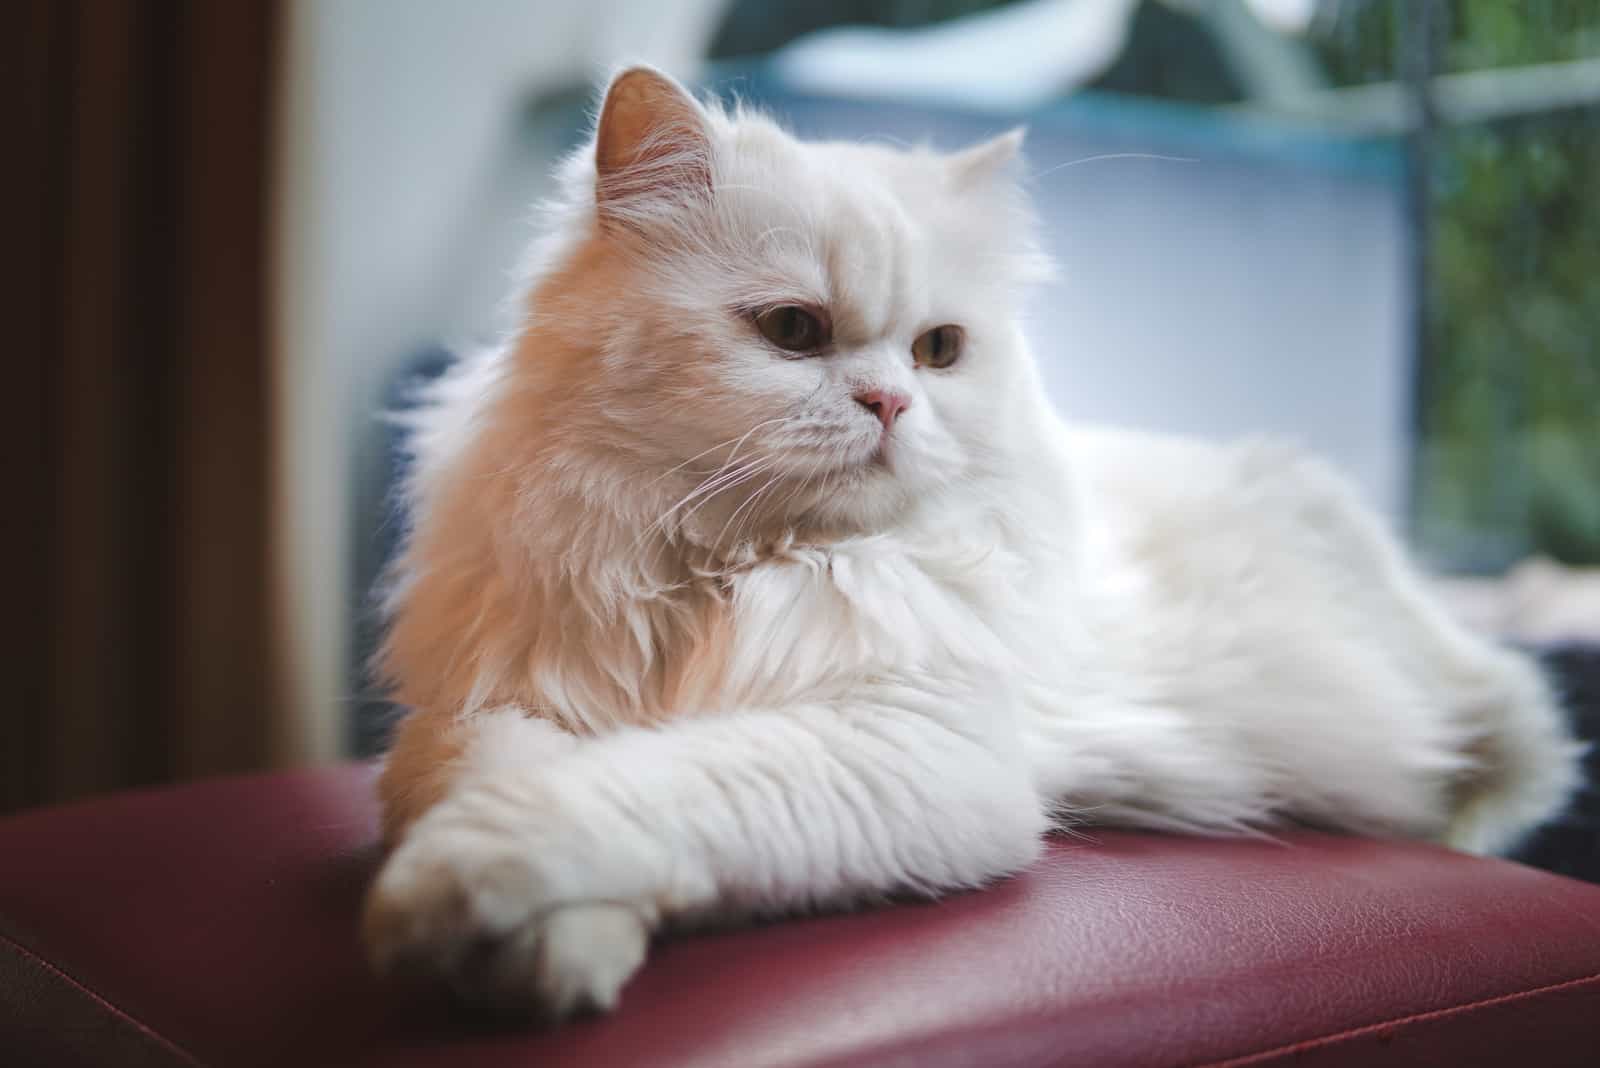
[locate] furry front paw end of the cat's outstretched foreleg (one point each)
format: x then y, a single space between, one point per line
495 915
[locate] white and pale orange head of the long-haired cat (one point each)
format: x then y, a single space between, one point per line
796 333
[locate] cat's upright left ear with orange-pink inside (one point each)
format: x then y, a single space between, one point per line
652 143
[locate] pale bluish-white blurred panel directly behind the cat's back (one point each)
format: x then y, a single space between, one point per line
1226 300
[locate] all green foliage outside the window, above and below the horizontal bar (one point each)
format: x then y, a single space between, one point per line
1510 458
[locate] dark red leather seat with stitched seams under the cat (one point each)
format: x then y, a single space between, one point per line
217 925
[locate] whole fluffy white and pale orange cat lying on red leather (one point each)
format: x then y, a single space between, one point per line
754 575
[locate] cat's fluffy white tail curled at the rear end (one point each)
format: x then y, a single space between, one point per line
1527 765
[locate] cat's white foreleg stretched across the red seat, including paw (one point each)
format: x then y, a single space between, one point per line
535 885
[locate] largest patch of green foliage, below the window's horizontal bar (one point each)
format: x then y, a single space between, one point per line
1511 450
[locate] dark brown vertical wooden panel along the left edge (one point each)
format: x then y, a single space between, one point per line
138 460
